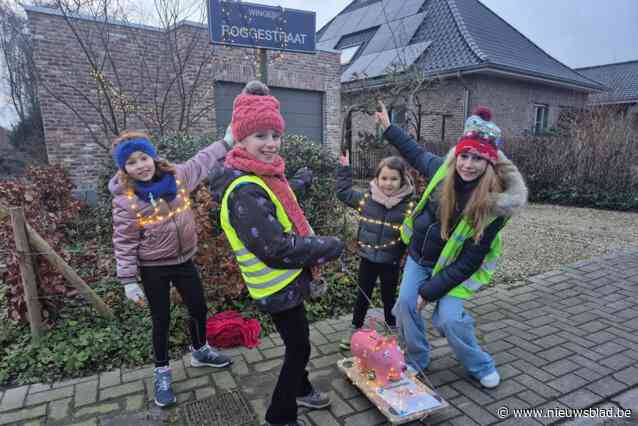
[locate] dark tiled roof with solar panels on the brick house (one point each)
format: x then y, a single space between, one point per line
459 34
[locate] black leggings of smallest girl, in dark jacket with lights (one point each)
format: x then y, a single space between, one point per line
368 273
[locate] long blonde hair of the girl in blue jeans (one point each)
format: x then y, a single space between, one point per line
477 209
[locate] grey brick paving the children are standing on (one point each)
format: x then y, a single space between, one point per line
567 339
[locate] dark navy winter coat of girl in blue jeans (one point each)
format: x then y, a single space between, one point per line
426 243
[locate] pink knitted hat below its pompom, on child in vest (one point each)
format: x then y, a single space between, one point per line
252 113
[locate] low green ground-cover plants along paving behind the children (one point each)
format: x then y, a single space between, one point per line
82 343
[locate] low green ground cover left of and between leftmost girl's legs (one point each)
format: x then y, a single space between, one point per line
82 342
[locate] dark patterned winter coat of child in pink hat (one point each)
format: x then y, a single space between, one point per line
251 212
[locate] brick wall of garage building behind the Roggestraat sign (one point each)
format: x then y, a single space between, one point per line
143 73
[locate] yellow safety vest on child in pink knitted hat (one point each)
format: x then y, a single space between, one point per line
260 279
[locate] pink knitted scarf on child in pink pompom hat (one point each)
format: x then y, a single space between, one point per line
273 175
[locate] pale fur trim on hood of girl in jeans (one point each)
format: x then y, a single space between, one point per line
514 197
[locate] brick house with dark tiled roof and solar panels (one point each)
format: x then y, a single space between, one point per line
461 55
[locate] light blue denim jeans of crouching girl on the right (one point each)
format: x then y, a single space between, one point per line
449 318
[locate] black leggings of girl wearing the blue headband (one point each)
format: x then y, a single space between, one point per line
185 279
